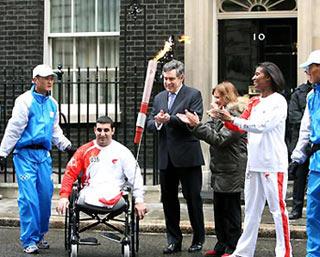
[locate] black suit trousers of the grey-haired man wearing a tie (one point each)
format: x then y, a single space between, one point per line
191 182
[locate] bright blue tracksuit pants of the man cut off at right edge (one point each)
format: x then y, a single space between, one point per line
313 214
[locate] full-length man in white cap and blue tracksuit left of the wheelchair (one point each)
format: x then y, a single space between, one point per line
32 129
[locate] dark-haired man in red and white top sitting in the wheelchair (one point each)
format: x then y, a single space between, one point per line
105 166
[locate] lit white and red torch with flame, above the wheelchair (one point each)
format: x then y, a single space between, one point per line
148 84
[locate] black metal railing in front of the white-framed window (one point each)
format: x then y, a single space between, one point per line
83 95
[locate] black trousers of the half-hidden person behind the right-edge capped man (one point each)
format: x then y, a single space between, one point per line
299 187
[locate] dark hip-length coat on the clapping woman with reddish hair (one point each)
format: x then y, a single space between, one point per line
228 151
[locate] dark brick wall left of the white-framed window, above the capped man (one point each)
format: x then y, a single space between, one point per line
21 46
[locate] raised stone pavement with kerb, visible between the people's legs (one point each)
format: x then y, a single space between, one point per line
154 220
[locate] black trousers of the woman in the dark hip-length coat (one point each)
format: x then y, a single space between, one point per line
227 220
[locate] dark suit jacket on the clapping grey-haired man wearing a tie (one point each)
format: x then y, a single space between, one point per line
175 139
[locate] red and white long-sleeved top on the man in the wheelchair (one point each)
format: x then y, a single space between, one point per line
103 168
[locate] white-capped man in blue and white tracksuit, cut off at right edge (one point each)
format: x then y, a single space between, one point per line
310 131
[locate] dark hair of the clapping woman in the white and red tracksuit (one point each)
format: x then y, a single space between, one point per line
273 71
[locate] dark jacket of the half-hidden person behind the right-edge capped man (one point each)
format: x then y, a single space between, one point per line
296 108
